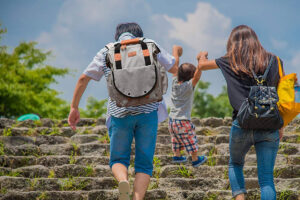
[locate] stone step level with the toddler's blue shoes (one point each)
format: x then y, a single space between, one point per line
162 160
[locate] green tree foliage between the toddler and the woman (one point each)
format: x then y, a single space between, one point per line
206 105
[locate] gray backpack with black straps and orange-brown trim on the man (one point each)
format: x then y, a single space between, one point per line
136 77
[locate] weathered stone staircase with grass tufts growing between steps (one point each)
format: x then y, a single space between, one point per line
47 160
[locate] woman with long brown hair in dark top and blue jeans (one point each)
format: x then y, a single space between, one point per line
244 52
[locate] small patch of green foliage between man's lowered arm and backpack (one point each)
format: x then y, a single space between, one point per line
94 108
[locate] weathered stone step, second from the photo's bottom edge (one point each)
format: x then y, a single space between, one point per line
169 184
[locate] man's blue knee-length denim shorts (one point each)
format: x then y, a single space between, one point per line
143 128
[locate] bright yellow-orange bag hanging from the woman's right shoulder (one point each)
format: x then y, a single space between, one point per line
287 106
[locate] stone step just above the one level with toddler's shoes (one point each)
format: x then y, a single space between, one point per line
96 148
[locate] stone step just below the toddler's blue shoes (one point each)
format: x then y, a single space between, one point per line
168 171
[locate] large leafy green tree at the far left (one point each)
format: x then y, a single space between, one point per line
25 82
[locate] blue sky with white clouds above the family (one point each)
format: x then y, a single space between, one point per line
75 30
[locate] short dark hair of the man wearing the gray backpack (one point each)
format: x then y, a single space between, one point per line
132 28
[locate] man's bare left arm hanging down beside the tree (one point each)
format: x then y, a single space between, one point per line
74 115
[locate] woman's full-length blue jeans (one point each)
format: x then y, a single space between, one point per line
266 145
